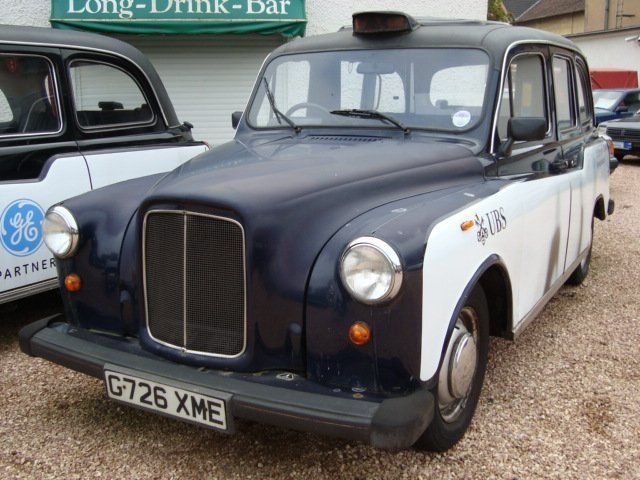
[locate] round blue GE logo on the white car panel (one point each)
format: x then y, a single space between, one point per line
21 227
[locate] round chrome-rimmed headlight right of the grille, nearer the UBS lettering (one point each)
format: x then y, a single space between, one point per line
371 270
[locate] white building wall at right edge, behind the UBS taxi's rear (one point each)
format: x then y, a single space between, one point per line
611 50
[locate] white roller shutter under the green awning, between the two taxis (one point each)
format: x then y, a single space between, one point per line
208 77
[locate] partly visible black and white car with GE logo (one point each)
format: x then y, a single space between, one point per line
78 111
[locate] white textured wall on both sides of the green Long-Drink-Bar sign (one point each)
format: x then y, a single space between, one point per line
323 15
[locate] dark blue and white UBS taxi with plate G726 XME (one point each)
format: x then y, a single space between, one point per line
396 193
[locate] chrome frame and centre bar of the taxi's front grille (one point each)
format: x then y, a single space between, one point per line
185 213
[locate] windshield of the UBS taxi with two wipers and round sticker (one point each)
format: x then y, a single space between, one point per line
433 89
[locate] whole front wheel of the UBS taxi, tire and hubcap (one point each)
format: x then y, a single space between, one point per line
461 376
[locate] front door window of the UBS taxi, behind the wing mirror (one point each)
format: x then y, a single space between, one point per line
524 91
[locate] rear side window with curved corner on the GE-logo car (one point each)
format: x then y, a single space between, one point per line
107 97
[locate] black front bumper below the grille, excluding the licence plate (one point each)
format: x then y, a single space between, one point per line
391 423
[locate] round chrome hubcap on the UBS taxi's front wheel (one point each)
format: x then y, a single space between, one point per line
459 366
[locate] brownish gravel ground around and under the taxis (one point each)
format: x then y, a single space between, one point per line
560 402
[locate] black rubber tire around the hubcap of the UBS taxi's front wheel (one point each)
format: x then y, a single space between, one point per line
446 429
